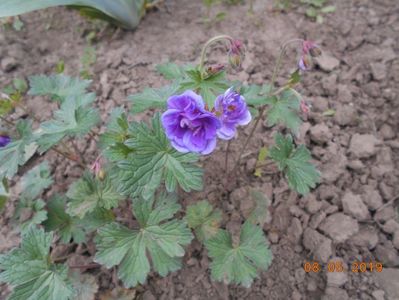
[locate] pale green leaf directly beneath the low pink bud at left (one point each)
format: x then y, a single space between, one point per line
89 193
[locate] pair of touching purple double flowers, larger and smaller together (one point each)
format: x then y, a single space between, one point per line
190 127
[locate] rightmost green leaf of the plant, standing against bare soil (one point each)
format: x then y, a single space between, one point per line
294 162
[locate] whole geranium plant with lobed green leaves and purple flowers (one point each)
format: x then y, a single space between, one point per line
143 166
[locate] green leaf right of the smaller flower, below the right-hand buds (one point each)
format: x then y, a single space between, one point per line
285 110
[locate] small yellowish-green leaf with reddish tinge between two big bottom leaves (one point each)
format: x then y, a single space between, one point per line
203 219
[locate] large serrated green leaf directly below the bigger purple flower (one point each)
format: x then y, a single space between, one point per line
153 162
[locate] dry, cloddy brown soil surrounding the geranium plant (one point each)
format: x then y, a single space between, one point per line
352 215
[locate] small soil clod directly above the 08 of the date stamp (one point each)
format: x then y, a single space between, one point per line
317 243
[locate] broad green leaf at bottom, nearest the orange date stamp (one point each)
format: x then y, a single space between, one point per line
239 264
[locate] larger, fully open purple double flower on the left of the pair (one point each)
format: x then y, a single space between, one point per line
188 125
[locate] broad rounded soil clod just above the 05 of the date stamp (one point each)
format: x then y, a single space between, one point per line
339 227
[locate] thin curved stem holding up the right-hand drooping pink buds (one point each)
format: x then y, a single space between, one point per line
270 93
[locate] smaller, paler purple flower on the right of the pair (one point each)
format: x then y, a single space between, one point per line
232 110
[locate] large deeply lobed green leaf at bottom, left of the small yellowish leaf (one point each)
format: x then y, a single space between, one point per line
163 240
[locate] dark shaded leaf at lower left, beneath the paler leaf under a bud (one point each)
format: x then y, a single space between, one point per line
74 228
